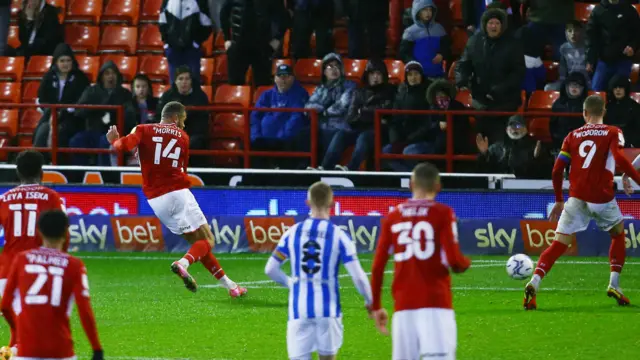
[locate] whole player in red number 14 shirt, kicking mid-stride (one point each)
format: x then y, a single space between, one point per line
163 150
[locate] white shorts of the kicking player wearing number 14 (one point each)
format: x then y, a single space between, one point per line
178 211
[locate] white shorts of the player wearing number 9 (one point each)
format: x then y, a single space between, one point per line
577 214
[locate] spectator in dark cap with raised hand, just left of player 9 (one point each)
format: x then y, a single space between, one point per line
520 154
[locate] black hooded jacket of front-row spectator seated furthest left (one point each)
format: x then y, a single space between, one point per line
49 92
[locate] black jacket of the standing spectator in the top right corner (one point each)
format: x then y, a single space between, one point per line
610 29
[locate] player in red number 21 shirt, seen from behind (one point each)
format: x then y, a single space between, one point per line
40 289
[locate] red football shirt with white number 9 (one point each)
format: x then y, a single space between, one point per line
591 152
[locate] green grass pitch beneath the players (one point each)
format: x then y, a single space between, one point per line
143 311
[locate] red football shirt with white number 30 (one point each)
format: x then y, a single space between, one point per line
422 236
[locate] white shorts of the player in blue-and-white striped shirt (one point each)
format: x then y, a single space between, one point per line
305 336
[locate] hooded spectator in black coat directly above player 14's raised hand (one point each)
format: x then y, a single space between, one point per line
107 91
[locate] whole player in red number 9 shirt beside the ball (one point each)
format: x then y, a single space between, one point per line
593 152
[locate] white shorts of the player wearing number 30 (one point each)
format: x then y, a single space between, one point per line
424 334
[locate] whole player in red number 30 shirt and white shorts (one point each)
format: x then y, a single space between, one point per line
422 236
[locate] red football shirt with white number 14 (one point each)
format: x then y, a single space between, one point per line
163 150
